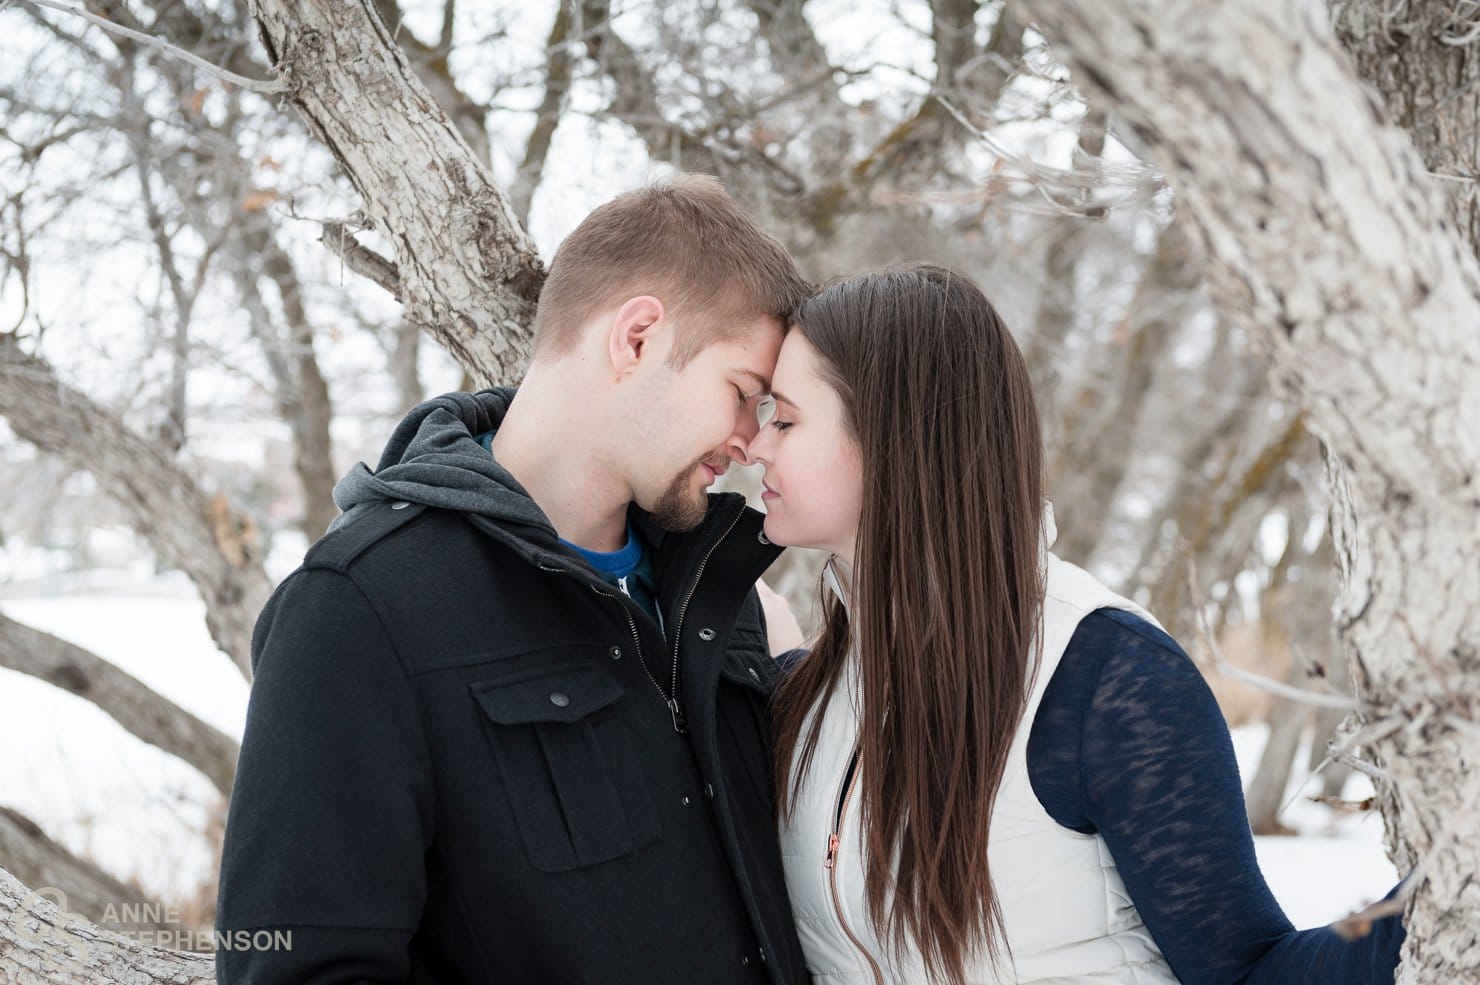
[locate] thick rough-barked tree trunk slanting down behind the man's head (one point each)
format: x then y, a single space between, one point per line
468 273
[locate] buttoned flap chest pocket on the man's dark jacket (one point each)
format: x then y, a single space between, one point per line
569 767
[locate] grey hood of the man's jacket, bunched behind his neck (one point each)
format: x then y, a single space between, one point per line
434 459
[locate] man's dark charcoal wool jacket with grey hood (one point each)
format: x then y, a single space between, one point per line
460 765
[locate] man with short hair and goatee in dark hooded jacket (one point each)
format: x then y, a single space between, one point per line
510 718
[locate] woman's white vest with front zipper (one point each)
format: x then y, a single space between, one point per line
1068 915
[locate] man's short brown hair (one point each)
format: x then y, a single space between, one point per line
684 242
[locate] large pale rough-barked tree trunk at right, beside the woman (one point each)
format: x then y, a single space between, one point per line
1330 246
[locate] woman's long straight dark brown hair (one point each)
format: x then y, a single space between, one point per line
946 595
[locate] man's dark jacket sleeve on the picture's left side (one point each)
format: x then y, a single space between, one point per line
331 814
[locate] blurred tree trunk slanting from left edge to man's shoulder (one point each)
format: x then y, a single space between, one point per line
199 535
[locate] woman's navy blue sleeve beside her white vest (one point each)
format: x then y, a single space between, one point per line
1128 743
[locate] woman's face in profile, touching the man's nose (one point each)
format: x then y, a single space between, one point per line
813 468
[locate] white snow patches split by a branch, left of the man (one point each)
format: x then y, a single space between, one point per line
92 786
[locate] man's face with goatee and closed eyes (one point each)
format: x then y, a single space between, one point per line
699 421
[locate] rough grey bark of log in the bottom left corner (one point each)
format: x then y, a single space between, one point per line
44 944
